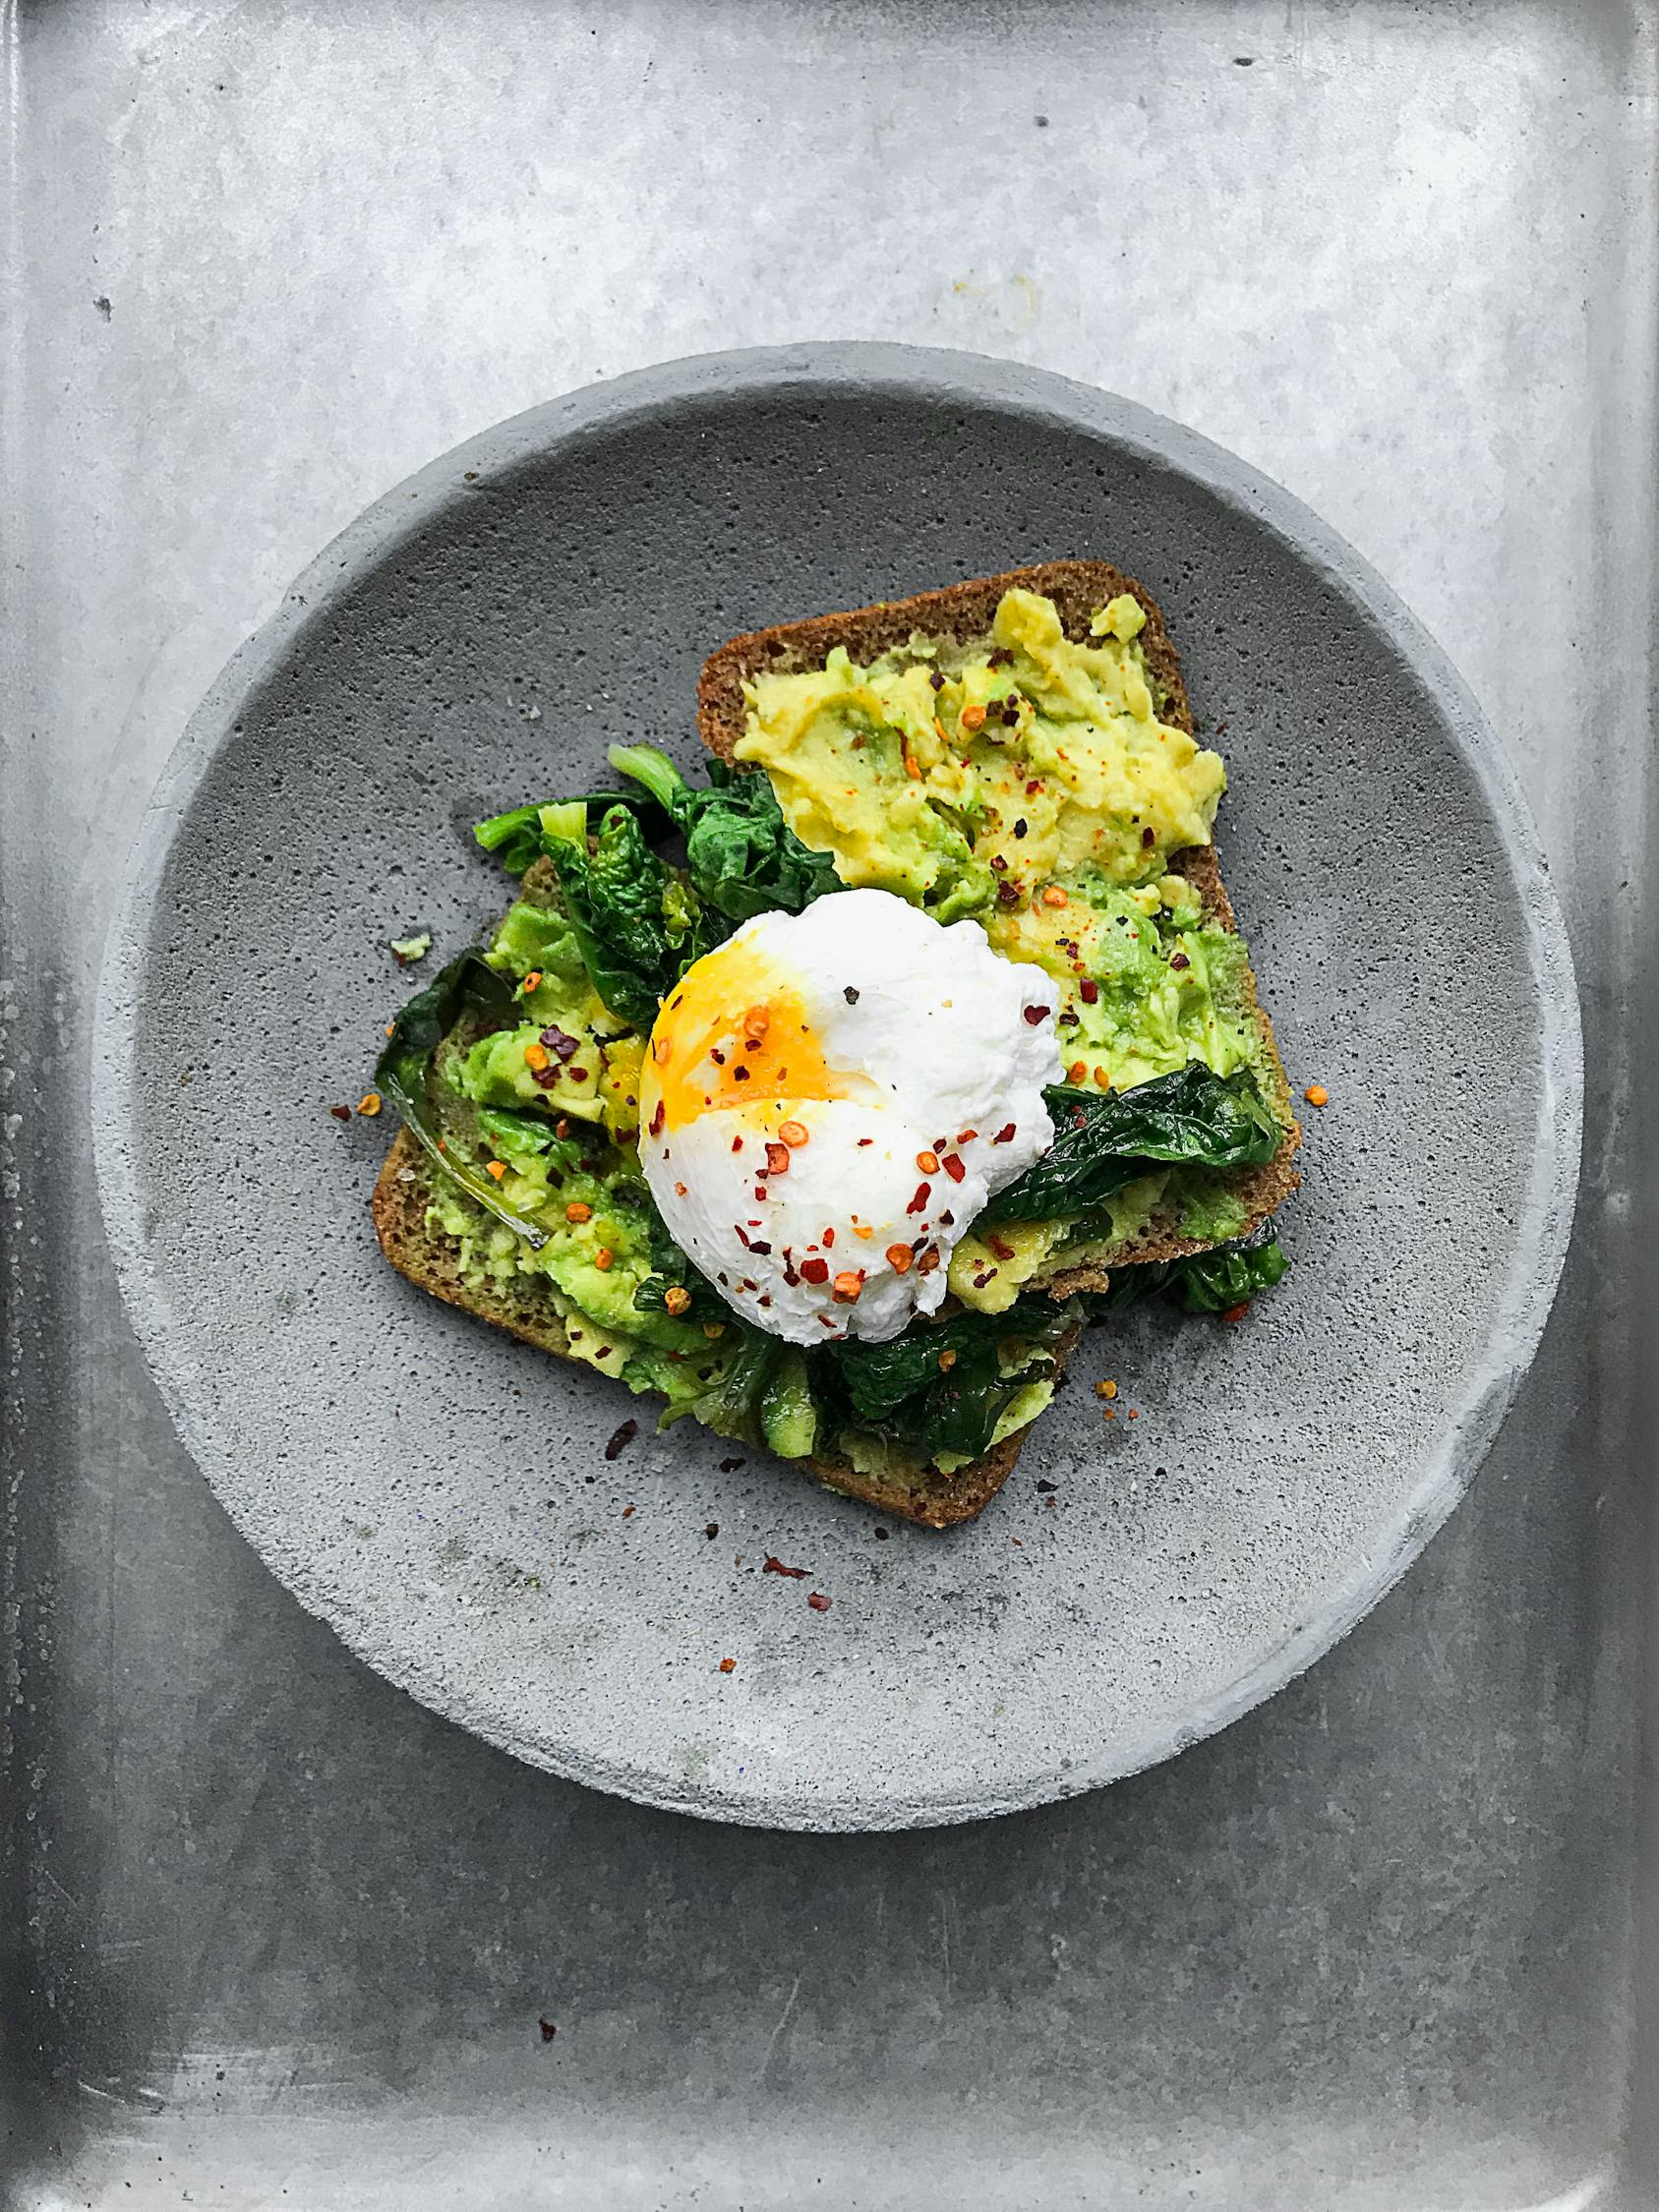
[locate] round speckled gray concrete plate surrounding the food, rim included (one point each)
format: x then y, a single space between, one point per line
441 1496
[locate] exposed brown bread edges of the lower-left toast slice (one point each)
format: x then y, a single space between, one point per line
430 1260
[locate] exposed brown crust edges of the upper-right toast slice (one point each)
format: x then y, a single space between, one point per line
963 614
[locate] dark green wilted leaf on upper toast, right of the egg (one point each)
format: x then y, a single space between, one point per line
1109 1138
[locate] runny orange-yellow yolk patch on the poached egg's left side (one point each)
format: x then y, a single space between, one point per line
735 1032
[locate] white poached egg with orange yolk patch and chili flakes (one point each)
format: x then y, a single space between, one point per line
828 1103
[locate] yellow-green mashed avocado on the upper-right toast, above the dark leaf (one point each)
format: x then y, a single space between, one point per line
1027 784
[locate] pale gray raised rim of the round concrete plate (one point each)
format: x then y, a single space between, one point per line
740 375
